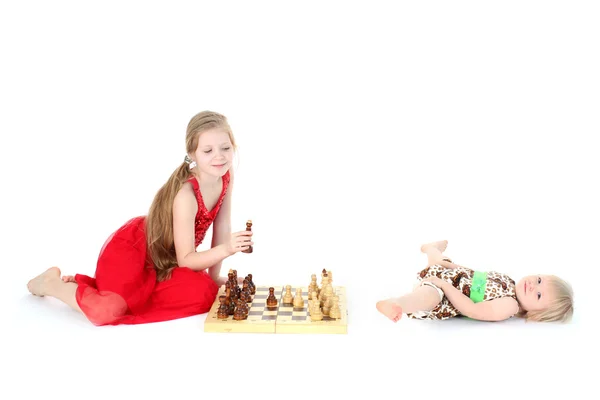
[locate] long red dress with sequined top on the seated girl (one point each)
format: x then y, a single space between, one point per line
125 291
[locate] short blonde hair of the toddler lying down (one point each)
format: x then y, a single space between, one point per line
560 310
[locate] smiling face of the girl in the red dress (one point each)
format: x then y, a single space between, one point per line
214 153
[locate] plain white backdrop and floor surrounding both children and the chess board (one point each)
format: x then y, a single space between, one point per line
363 131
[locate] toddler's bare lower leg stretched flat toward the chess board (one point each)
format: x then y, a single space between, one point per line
423 298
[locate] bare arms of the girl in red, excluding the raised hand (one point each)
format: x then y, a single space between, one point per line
185 208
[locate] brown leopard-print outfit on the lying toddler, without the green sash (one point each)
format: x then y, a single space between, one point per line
498 285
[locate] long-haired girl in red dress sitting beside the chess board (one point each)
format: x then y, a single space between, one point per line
149 269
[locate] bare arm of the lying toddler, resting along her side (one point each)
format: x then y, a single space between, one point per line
493 310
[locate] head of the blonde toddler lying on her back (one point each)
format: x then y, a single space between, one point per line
544 298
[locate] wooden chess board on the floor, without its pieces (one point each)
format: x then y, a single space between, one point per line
285 319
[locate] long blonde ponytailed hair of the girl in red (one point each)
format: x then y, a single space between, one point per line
159 222
